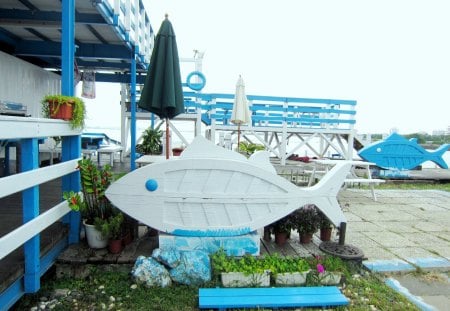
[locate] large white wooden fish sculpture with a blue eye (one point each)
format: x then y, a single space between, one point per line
211 191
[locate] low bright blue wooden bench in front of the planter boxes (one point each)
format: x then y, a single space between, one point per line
272 297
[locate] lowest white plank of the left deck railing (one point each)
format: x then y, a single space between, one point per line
16 238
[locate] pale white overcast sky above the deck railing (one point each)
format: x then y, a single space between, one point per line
391 56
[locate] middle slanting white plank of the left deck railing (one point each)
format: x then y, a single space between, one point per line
18 182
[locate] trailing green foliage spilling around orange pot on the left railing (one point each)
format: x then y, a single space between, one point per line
78 113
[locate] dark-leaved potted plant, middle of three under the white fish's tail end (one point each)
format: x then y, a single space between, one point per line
306 222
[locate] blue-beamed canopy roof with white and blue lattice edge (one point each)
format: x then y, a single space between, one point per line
104 35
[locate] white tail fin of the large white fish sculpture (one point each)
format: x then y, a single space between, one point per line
326 191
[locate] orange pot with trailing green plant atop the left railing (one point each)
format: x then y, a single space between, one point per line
63 107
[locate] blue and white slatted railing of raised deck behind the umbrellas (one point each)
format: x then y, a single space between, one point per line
272 111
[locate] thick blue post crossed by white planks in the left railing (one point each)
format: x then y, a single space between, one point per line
30 201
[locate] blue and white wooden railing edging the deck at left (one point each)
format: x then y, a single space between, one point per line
27 132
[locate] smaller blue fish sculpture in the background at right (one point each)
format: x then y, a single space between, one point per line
397 152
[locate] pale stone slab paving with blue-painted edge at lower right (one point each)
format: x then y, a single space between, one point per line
403 232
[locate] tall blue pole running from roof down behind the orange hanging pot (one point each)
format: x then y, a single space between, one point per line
71 145
